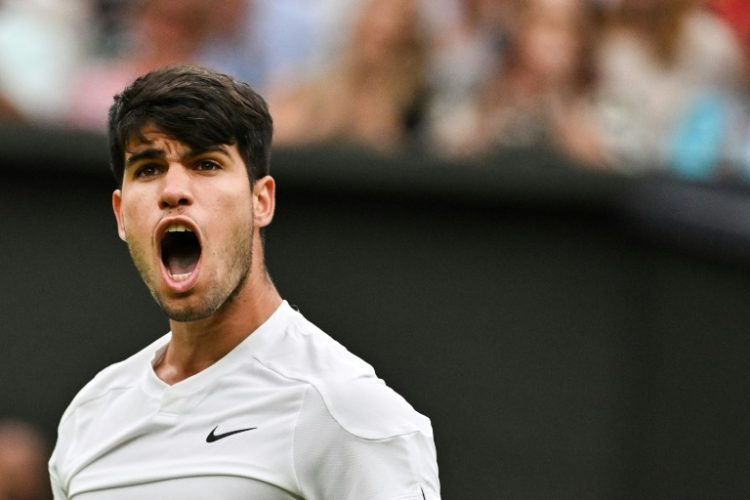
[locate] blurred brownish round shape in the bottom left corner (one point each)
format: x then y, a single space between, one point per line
23 462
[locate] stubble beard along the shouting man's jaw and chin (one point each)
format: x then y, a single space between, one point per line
216 297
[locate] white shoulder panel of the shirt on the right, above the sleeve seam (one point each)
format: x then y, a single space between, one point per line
350 391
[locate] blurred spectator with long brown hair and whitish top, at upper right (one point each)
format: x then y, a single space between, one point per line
653 59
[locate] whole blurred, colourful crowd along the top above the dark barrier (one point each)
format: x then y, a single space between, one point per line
625 85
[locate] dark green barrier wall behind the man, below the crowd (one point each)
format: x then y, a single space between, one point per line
570 335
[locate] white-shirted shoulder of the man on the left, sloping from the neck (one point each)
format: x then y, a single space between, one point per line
117 376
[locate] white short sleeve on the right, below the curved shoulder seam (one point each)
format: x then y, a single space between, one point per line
333 462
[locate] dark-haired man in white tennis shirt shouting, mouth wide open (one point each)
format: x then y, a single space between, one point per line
244 398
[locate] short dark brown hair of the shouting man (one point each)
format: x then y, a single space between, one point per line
196 106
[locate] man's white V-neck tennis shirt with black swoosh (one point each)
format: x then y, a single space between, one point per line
288 414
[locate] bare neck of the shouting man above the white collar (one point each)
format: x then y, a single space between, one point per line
196 345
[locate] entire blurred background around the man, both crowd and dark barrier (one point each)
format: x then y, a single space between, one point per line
531 216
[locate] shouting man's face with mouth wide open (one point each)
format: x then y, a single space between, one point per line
188 219
